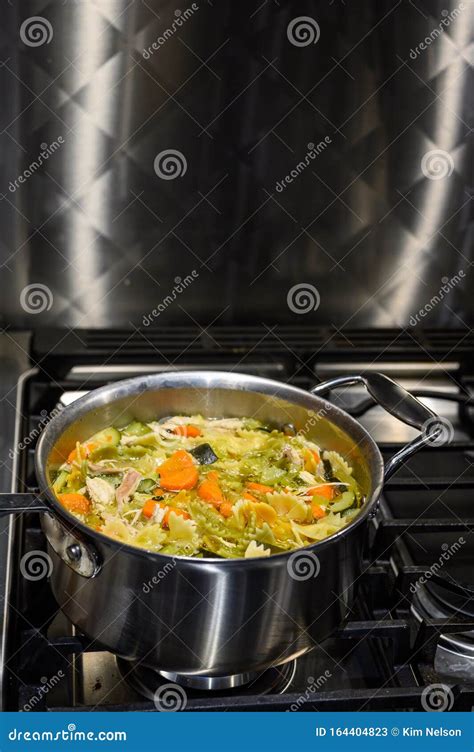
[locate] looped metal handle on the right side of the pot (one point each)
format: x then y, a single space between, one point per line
399 403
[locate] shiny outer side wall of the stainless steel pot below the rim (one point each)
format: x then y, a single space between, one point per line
209 618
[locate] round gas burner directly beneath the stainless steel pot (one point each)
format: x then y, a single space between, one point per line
146 680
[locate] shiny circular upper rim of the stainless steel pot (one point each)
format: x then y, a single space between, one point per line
231 380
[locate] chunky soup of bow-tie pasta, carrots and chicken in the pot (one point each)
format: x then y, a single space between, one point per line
194 486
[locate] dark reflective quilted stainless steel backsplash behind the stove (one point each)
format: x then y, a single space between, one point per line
333 153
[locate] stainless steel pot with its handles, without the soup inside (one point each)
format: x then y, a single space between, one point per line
206 620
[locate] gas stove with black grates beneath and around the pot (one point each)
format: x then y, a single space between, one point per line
412 626
